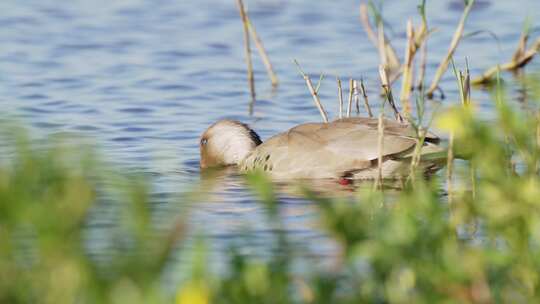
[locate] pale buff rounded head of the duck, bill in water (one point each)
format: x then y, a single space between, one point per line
227 142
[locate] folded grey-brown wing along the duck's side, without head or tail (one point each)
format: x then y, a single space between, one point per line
318 150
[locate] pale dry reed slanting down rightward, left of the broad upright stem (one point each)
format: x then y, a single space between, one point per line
387 53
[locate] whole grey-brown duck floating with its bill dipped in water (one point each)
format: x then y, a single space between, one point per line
346 148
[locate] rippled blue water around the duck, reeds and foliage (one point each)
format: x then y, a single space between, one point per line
143 78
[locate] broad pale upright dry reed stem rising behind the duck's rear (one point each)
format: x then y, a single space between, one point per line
407 81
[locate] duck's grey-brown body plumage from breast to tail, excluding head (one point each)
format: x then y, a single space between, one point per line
345 148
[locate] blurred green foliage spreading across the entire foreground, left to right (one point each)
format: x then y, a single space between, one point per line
414 246
